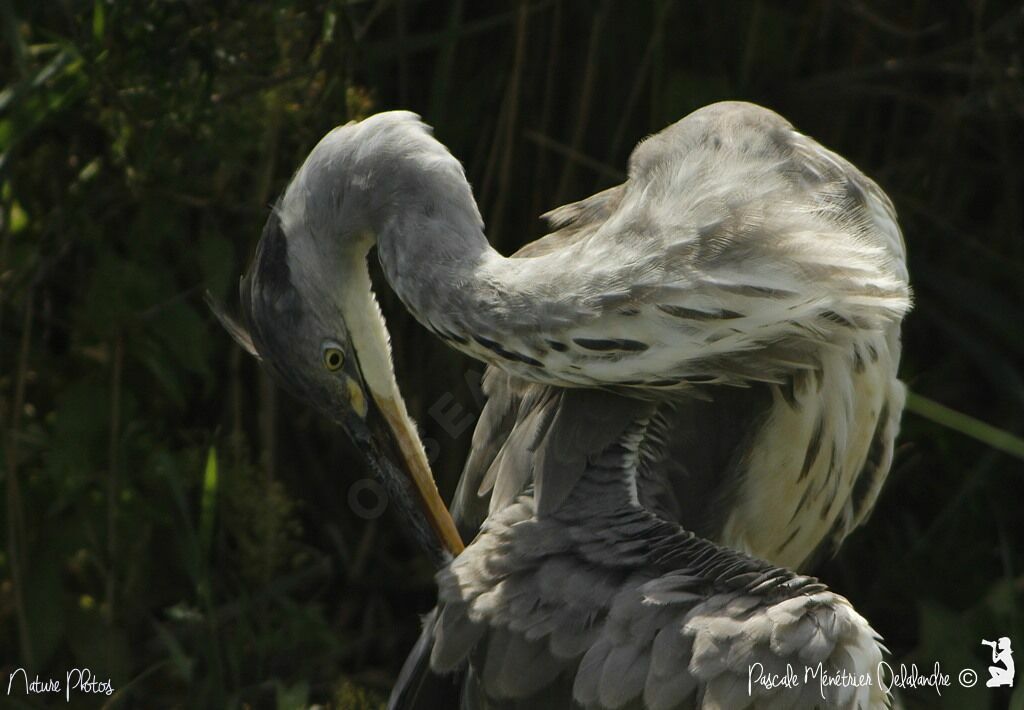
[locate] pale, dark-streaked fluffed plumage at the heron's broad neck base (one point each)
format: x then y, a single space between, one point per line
737 250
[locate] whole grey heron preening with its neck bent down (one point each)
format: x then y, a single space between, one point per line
692 388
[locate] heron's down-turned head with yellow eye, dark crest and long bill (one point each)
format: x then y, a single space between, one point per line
312 320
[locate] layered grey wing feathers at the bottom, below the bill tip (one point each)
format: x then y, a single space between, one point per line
629 609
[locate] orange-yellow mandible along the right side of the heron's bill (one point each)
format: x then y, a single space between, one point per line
418 470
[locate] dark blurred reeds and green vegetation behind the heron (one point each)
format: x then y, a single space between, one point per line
174 525
